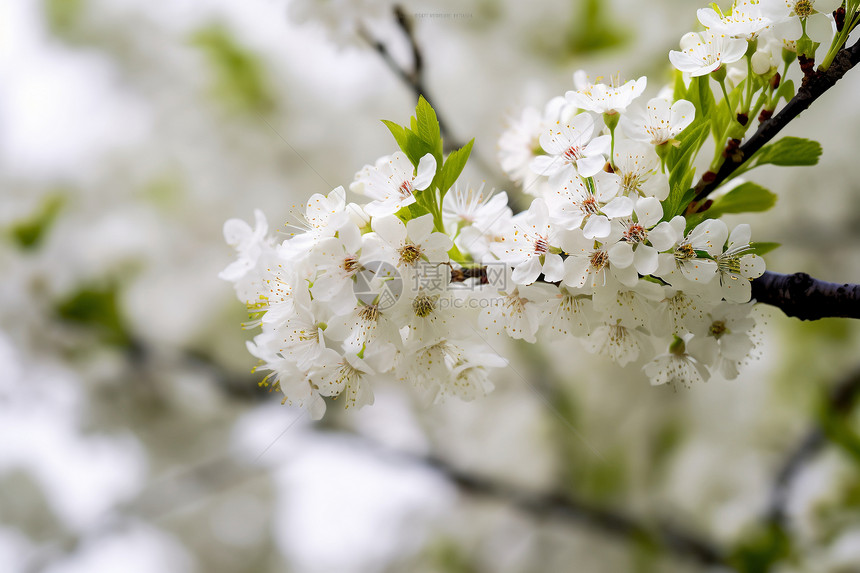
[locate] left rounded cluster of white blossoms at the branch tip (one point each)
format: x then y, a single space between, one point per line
355 296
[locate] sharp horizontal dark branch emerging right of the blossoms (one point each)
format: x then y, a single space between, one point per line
806 298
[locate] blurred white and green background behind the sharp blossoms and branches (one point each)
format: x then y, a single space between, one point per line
133 436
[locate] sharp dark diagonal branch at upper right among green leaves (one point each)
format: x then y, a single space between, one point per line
812 88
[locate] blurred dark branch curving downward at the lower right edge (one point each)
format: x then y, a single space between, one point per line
840 402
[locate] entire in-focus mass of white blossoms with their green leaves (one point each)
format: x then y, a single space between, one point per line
418 281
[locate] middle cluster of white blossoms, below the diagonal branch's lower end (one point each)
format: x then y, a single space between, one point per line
624 278
